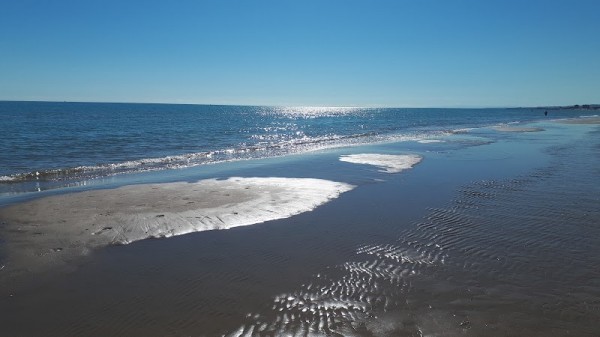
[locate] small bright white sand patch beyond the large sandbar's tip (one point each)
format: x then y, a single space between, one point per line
389 163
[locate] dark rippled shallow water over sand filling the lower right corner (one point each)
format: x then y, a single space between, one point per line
514 257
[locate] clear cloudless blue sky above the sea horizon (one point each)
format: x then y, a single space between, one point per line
417 53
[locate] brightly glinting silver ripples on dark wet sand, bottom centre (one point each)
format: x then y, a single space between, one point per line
339 301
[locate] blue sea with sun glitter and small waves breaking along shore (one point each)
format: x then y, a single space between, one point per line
45 143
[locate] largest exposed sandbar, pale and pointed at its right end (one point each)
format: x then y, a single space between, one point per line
64 226
